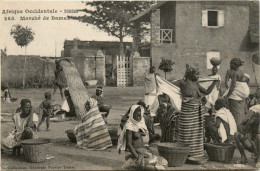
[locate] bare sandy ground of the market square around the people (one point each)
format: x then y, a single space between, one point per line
67 156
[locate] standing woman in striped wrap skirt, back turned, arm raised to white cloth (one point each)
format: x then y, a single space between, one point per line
191 117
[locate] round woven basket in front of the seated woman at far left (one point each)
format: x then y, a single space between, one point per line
35 150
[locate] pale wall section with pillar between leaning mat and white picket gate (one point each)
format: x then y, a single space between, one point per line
91 65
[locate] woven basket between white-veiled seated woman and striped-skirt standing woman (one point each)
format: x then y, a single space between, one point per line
175 153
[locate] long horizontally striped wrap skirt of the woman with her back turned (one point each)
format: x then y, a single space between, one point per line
191 127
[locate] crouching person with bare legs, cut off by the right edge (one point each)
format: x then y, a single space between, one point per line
249 136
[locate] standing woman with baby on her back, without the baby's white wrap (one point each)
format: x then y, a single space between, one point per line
236 103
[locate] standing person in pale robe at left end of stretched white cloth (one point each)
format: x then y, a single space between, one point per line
150 97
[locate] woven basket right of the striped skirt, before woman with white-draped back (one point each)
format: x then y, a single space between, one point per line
220 152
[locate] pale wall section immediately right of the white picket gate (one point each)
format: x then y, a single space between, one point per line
141 66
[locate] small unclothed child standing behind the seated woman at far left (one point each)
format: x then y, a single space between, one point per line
47 108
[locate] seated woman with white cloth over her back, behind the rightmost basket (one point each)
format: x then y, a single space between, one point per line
223 130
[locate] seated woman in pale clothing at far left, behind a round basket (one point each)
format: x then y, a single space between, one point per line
25 123
